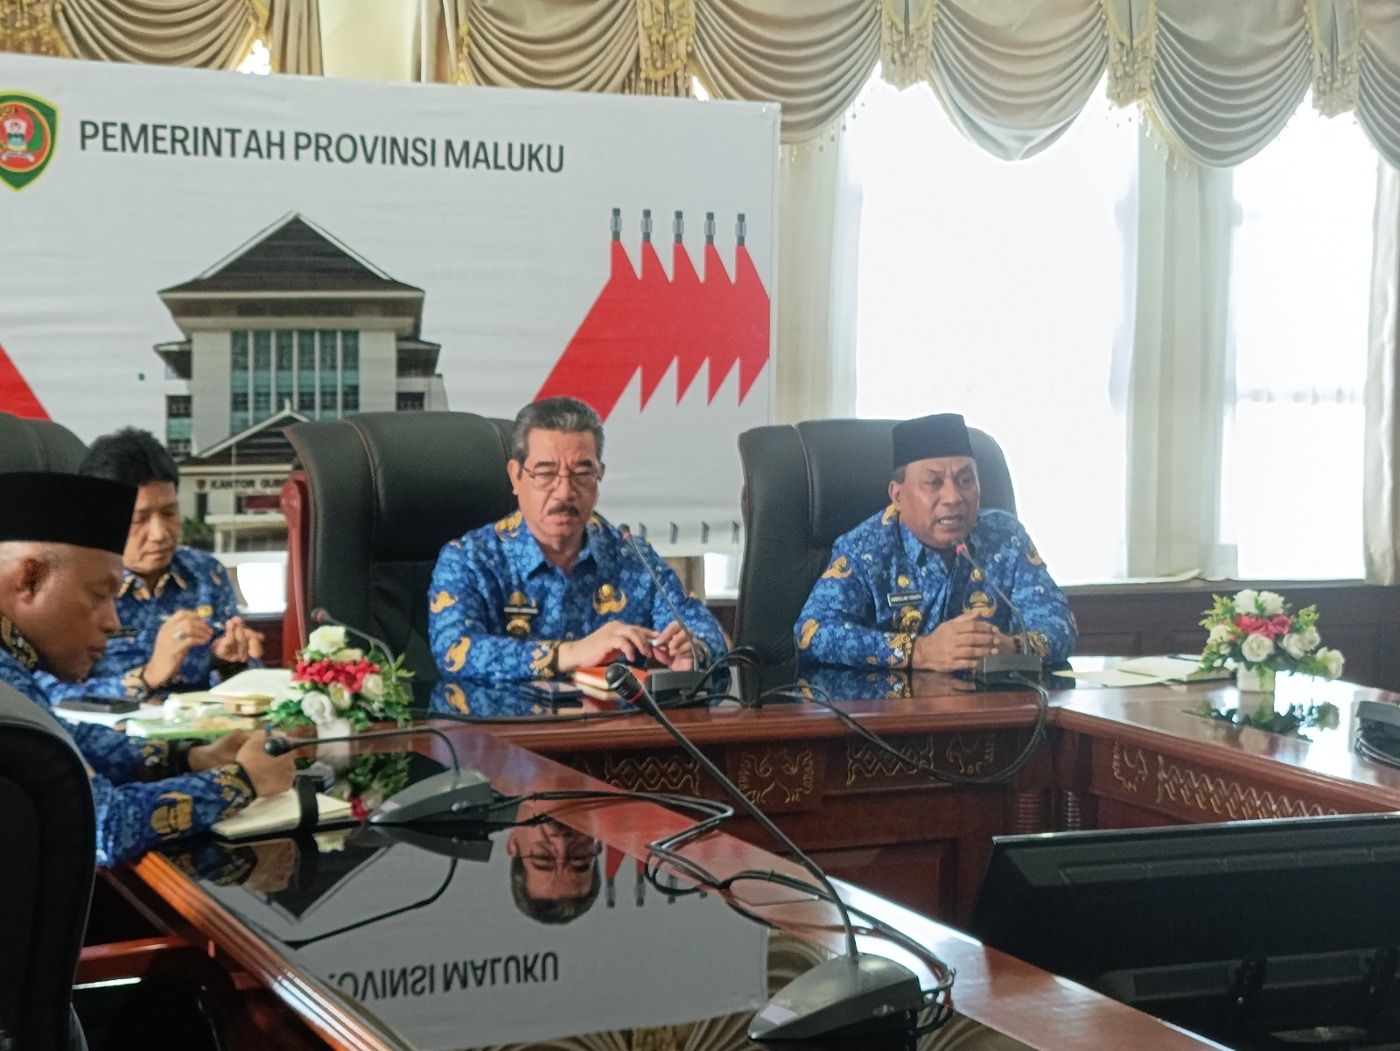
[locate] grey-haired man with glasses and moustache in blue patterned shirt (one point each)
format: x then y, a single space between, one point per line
554 587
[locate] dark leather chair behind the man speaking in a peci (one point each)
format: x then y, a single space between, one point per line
806 485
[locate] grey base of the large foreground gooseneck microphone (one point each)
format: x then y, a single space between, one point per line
842 999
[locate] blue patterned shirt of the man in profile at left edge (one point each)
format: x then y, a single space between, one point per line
135 812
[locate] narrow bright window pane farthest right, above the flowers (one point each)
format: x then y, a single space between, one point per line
1300 300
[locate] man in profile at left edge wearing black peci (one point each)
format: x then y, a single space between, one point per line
61 537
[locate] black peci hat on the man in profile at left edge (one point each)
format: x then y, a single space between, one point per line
66 510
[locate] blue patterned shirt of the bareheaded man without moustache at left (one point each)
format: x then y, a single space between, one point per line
194 580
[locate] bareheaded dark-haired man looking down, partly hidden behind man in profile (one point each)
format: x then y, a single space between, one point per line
174 600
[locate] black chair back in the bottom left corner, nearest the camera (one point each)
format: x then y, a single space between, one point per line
47 880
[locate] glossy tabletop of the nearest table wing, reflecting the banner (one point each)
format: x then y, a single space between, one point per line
397 945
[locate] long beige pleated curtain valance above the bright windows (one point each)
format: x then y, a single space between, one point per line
1217 78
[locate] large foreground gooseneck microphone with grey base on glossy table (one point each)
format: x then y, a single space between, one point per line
853 994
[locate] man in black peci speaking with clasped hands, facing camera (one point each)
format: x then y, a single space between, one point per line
906 587
